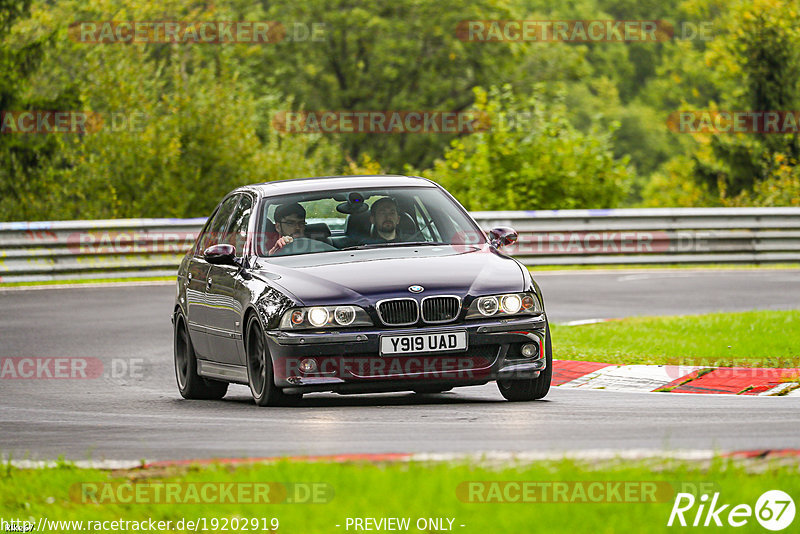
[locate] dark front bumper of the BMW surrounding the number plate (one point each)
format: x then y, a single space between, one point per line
349 361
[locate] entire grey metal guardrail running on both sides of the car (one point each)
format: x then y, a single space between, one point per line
124 248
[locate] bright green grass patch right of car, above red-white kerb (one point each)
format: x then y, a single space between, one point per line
761 338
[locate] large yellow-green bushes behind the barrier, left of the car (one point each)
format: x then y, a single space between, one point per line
188 128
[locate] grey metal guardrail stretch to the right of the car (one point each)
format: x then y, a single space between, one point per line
651 236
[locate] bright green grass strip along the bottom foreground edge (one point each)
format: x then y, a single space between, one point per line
413 490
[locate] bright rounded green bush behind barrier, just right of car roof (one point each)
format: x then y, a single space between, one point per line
531 157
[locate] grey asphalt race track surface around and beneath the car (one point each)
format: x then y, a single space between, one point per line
134 411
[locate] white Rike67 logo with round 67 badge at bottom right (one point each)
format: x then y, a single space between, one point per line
774 510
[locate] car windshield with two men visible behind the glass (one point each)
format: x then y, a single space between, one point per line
353 219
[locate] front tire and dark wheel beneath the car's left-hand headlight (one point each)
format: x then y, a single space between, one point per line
260 376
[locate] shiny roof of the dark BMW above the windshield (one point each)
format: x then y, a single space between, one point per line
323 183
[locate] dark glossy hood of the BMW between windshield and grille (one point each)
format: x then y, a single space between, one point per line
366 276
